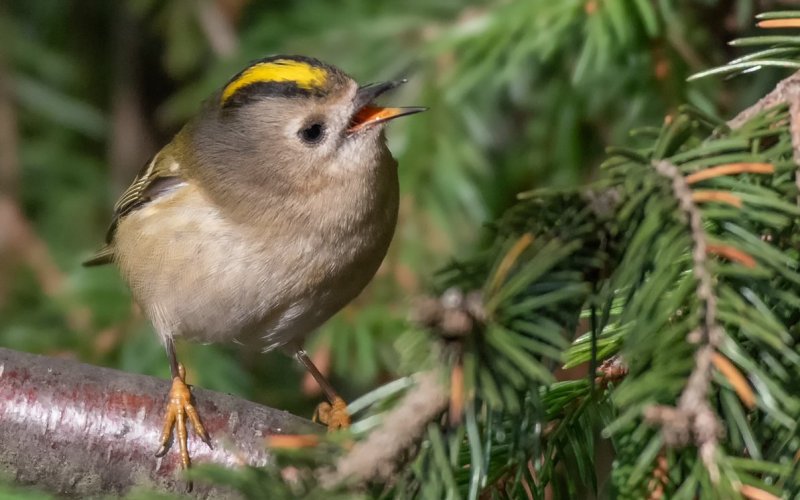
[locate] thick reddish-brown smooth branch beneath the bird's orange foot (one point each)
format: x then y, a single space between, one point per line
80 430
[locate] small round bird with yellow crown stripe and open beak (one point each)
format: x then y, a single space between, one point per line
264 216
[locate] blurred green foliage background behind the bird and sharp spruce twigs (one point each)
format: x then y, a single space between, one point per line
523 94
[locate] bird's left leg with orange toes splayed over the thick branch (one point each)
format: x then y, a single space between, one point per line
179 407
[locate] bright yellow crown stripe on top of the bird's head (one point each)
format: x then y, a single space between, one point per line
302 74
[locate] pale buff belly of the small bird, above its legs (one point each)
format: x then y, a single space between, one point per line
200 276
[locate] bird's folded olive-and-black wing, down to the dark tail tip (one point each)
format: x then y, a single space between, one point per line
158 176
